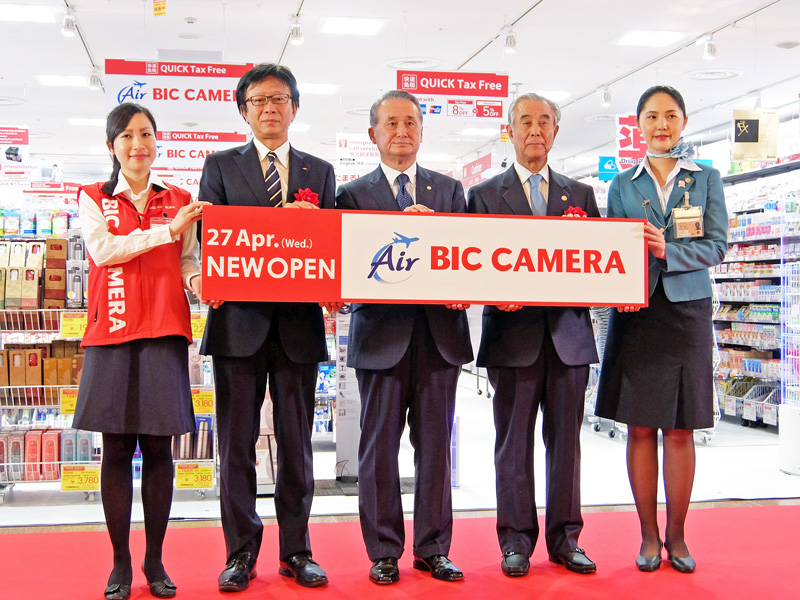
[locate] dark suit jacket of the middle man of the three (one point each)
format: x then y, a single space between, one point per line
380 333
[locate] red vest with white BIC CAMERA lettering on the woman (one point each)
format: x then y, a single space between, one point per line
144 296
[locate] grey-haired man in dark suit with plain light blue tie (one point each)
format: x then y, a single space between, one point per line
536 357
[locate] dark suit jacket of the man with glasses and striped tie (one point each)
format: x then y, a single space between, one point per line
234 177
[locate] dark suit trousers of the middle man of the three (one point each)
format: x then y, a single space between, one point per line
423 386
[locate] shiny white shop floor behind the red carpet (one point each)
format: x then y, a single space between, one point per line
737 463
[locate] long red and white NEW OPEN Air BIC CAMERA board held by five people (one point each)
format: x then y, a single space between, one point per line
252 254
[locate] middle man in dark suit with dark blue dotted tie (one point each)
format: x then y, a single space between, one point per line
407 359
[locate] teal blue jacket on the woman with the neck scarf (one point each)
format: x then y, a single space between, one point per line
685 270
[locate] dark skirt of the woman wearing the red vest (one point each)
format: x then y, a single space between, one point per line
141 386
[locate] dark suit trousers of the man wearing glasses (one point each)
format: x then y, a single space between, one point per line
240 386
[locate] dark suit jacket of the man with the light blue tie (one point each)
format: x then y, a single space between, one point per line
514 339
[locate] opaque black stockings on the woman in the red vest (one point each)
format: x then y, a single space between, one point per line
117 494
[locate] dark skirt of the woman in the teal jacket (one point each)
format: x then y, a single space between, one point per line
658 365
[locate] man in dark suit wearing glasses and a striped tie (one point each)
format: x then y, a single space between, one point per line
253 342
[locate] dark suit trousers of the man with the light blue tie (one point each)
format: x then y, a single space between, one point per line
557 389
